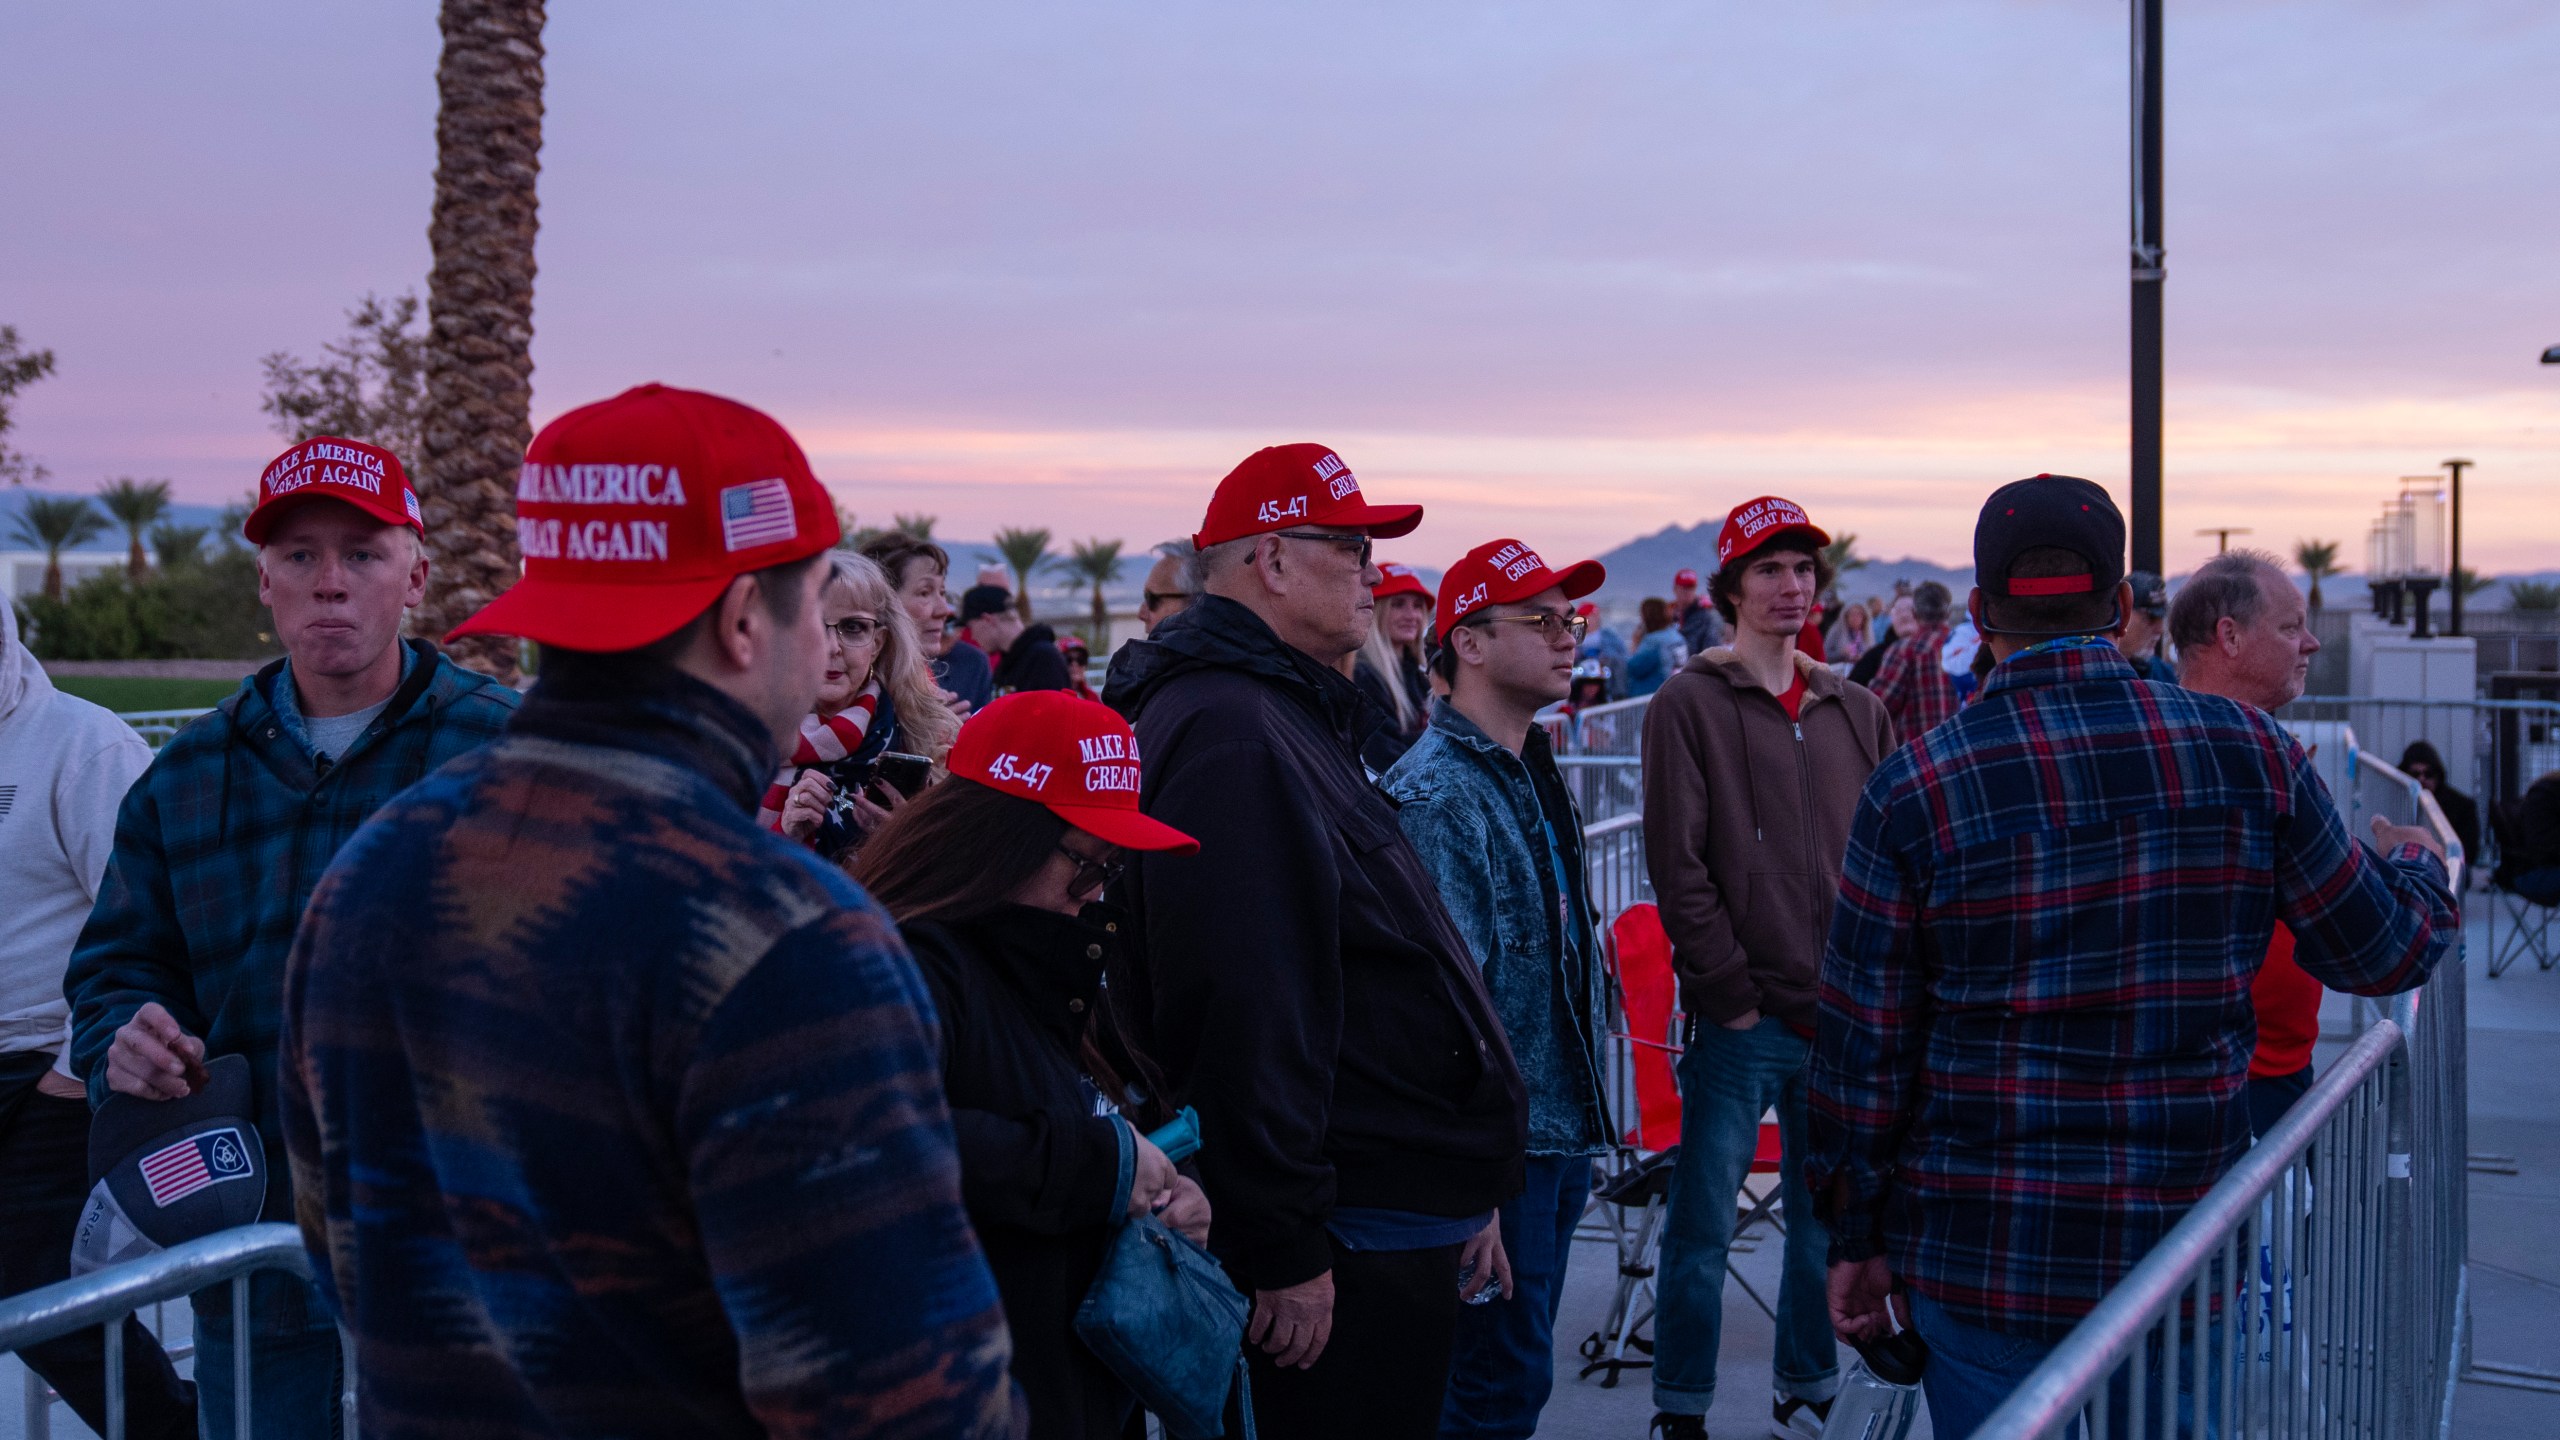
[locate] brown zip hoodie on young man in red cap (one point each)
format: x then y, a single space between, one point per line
1745 826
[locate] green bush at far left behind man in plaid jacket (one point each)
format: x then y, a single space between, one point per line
191 611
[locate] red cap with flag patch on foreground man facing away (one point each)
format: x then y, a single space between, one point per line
639 511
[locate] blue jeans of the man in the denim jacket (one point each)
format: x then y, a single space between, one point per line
1504 1364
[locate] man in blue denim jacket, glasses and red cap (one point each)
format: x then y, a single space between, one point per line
1489 814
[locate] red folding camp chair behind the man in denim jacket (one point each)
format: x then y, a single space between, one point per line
1635 1198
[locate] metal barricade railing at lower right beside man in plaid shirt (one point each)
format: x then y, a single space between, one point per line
2323 1285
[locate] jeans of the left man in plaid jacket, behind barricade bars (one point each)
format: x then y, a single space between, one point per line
293 1362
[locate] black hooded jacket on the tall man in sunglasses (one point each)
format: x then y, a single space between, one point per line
1299 980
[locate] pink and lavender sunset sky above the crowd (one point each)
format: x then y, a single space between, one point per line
1558 270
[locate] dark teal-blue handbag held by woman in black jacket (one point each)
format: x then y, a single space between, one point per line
1171 1326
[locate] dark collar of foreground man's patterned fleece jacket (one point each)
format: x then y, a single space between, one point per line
659 711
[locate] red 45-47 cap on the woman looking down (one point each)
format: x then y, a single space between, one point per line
1071 755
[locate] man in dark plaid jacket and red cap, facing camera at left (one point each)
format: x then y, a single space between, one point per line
224 839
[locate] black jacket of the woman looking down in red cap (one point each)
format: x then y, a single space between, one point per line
1041 1172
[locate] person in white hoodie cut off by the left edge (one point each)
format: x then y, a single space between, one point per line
65 767
